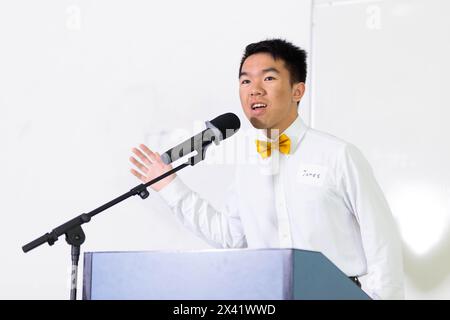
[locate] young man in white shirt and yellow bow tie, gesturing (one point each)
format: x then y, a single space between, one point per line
321 197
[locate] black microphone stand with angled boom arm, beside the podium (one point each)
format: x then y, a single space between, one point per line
75 236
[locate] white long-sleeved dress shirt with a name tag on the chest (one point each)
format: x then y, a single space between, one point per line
320 197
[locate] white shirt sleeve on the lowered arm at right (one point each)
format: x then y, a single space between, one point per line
380 237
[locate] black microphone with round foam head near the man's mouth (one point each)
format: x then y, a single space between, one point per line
218 129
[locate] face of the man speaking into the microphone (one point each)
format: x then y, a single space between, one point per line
268 98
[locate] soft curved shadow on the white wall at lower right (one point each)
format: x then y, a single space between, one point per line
427 271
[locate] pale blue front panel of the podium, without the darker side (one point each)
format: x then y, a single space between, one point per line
212 274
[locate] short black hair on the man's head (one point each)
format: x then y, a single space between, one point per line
294 58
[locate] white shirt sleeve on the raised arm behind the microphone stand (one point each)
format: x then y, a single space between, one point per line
221 229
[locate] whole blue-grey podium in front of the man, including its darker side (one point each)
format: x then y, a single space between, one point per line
224 274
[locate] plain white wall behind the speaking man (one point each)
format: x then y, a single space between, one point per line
82 82
